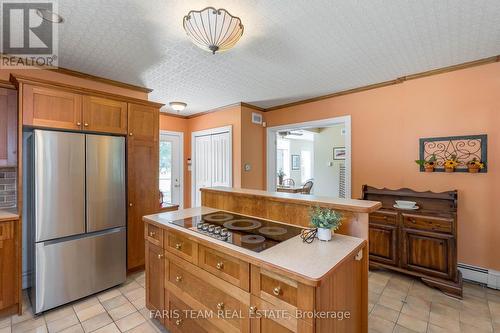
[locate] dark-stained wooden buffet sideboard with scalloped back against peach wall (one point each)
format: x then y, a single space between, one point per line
421 242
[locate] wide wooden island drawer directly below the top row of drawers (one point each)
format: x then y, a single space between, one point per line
204 291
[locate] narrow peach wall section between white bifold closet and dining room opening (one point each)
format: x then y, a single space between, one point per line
252 146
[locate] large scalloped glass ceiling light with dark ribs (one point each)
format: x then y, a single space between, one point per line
213 30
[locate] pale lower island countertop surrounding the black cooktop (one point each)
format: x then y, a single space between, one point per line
310 261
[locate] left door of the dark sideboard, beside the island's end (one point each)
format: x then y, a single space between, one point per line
383 243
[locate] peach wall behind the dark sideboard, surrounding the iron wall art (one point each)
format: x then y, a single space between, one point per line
386 125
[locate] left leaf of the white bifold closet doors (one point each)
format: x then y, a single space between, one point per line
203 165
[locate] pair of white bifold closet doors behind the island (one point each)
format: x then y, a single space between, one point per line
212 161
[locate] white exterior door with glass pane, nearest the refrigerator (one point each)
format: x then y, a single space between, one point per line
171 158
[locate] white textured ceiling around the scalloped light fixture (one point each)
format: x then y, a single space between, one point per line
291 49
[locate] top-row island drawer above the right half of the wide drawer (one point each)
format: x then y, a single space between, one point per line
228 268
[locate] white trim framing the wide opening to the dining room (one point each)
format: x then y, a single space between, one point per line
271 147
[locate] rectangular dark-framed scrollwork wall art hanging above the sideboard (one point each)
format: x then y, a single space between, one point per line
463 149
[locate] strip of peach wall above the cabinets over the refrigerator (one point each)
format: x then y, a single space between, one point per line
72 80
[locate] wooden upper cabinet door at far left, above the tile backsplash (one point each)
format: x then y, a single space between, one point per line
8 127
